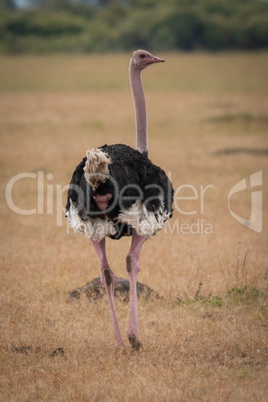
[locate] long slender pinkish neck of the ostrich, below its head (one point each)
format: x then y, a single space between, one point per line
140 109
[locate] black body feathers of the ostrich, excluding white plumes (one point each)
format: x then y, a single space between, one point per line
132 176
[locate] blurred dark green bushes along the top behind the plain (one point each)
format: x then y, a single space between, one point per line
97 26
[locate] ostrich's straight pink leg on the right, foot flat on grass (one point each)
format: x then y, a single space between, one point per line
133 267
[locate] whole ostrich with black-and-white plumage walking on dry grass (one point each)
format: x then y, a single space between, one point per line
117 191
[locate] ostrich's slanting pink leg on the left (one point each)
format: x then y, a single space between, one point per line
107 279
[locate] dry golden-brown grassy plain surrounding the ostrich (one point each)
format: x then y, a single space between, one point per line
208 126
